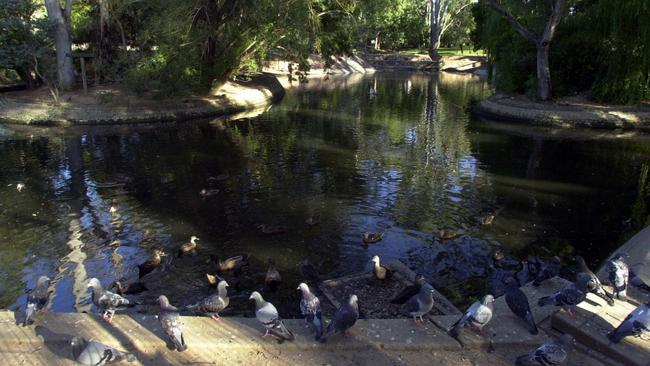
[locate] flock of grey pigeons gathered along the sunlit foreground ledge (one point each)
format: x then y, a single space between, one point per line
416 301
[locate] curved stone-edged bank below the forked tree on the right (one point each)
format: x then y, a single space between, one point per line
563 114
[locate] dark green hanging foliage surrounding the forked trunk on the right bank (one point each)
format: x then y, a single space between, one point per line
601 47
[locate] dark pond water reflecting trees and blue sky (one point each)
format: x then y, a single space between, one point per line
398 154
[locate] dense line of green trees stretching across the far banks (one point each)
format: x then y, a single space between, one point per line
542 47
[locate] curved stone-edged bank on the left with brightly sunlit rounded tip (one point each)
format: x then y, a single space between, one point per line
78 109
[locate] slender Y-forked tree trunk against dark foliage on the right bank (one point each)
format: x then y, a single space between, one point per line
542 42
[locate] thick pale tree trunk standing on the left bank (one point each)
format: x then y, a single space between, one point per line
63 42
